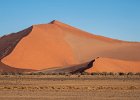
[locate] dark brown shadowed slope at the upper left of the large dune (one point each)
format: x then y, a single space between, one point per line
8 42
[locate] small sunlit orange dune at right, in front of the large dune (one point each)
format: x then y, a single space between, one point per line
114 65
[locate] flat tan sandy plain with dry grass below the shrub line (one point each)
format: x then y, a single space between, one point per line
52 87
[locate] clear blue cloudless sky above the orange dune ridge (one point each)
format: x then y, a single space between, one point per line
118 19
